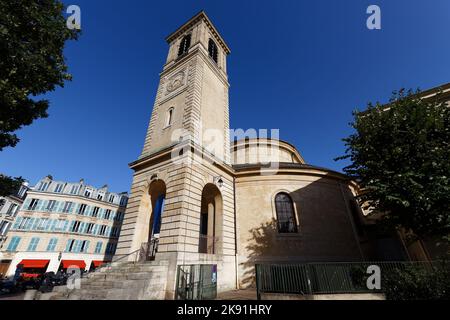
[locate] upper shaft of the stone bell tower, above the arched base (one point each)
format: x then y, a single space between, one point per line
192 98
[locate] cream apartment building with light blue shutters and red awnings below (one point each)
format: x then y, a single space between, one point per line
61 225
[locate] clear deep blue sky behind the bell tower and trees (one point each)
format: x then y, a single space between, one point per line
300 66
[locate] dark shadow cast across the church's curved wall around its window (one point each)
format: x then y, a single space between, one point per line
326 231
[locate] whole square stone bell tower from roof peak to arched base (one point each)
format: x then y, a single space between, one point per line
187 207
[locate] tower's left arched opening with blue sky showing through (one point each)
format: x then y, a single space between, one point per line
157 193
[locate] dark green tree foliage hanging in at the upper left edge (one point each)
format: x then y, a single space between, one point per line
32 38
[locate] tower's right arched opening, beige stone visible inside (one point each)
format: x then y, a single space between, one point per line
210 221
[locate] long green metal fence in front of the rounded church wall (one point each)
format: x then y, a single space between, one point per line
323 278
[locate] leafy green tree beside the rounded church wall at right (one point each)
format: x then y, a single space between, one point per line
400 156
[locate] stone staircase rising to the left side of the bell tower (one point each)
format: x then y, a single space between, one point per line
118 281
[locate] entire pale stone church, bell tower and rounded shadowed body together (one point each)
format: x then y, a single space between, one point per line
202 197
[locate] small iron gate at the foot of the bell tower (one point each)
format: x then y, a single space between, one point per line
196 282
